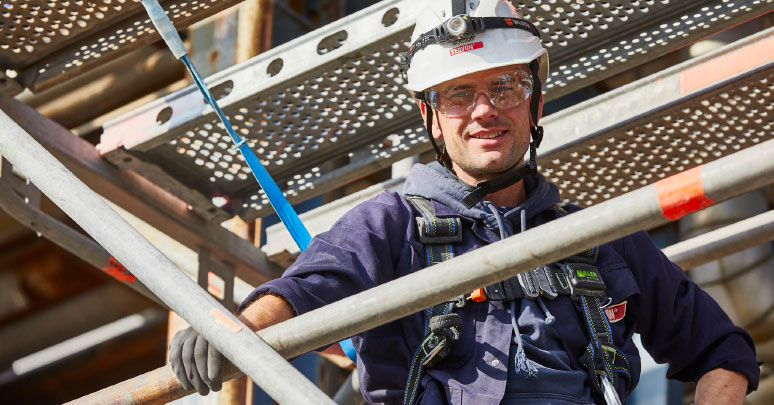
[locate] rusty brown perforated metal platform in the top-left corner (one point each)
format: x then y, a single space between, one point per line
47 42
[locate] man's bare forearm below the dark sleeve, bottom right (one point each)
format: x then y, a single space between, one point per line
720 386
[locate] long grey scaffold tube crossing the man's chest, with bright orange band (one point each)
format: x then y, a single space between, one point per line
650 206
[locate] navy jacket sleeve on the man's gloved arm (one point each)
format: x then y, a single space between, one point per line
360 251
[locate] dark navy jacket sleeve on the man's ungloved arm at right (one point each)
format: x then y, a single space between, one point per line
679 323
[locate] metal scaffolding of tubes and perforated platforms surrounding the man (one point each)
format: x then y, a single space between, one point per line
335 94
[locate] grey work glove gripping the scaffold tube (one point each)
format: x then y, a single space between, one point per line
196 363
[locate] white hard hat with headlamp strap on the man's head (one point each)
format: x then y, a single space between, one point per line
436 63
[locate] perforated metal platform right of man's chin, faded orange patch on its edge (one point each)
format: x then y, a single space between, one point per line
705 110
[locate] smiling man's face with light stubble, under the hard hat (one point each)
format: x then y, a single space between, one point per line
485 141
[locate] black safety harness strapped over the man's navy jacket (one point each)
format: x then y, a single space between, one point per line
576 276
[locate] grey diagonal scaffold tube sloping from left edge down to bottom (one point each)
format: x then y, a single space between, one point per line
234 339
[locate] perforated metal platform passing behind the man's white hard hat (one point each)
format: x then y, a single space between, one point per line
336 92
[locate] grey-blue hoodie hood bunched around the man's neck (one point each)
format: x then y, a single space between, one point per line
434 182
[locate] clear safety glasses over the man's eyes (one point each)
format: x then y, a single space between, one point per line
459 97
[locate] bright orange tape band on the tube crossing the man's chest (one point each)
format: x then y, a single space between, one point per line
682 194
